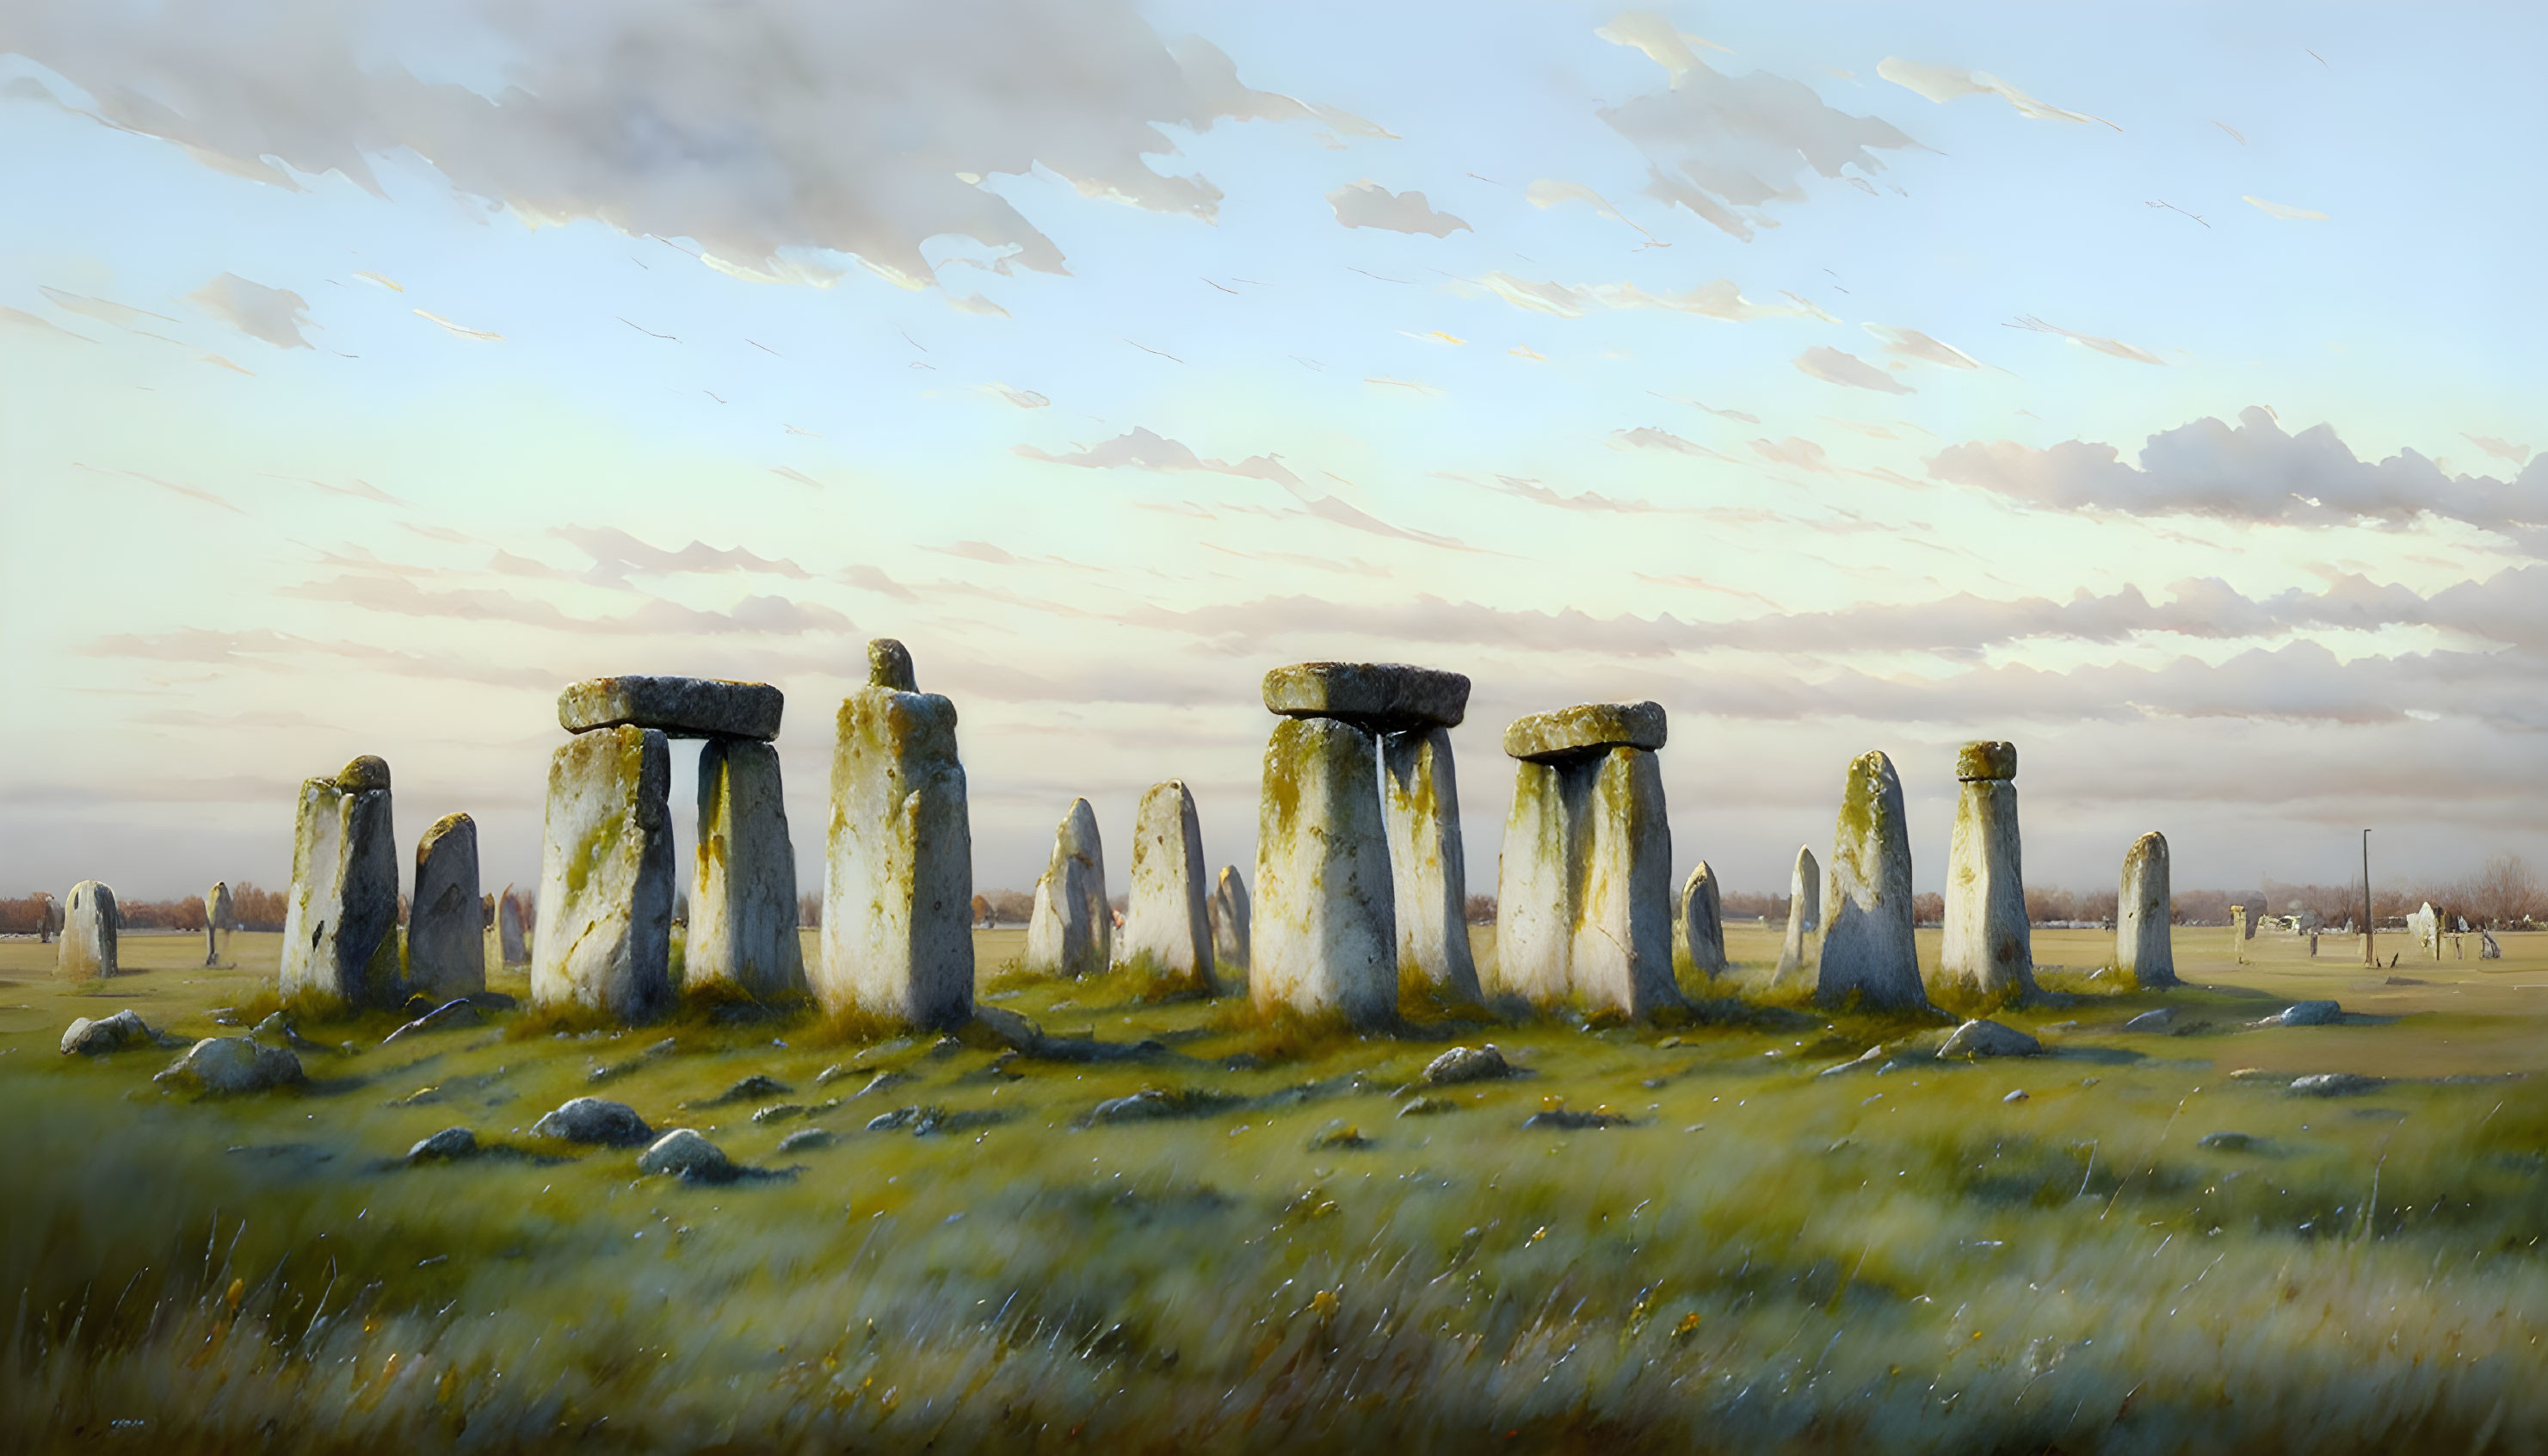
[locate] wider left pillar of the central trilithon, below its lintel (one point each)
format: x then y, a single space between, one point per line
1326 909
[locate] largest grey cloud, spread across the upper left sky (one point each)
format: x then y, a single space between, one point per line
768 134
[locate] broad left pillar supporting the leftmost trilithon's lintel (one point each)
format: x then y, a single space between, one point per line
608 876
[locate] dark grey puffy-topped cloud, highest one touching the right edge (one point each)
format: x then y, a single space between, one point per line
2246 473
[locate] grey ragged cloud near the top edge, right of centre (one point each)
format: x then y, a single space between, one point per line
1726 147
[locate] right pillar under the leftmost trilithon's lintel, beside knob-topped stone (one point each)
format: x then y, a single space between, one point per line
743 894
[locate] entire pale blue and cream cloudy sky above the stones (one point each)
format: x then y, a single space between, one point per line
2154 389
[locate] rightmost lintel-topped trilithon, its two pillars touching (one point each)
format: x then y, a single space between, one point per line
1584 899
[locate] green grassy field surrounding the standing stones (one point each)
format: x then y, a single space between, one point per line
1759 1261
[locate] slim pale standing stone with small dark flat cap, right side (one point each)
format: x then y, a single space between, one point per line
1986 950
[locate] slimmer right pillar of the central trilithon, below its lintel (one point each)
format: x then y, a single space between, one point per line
1428 866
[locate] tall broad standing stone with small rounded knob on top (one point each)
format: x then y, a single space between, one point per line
901 855
